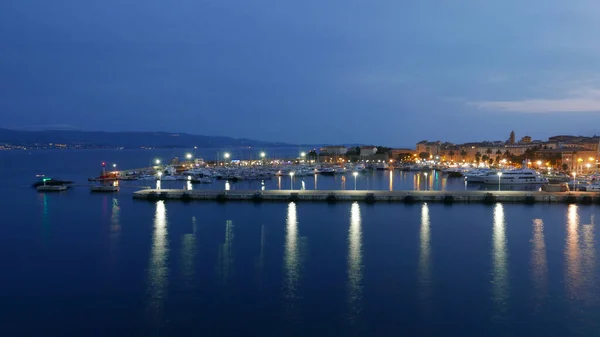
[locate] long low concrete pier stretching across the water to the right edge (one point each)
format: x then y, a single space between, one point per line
447 197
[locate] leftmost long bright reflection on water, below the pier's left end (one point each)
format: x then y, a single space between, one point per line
158 269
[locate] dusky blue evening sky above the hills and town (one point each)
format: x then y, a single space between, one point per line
388 72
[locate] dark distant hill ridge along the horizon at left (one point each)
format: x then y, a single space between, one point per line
96 139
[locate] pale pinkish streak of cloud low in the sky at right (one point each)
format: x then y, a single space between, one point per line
586 100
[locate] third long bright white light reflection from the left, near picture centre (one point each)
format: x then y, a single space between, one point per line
355 264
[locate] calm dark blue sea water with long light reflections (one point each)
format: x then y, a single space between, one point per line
81 264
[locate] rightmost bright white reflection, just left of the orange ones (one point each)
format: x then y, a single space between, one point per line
499 260
